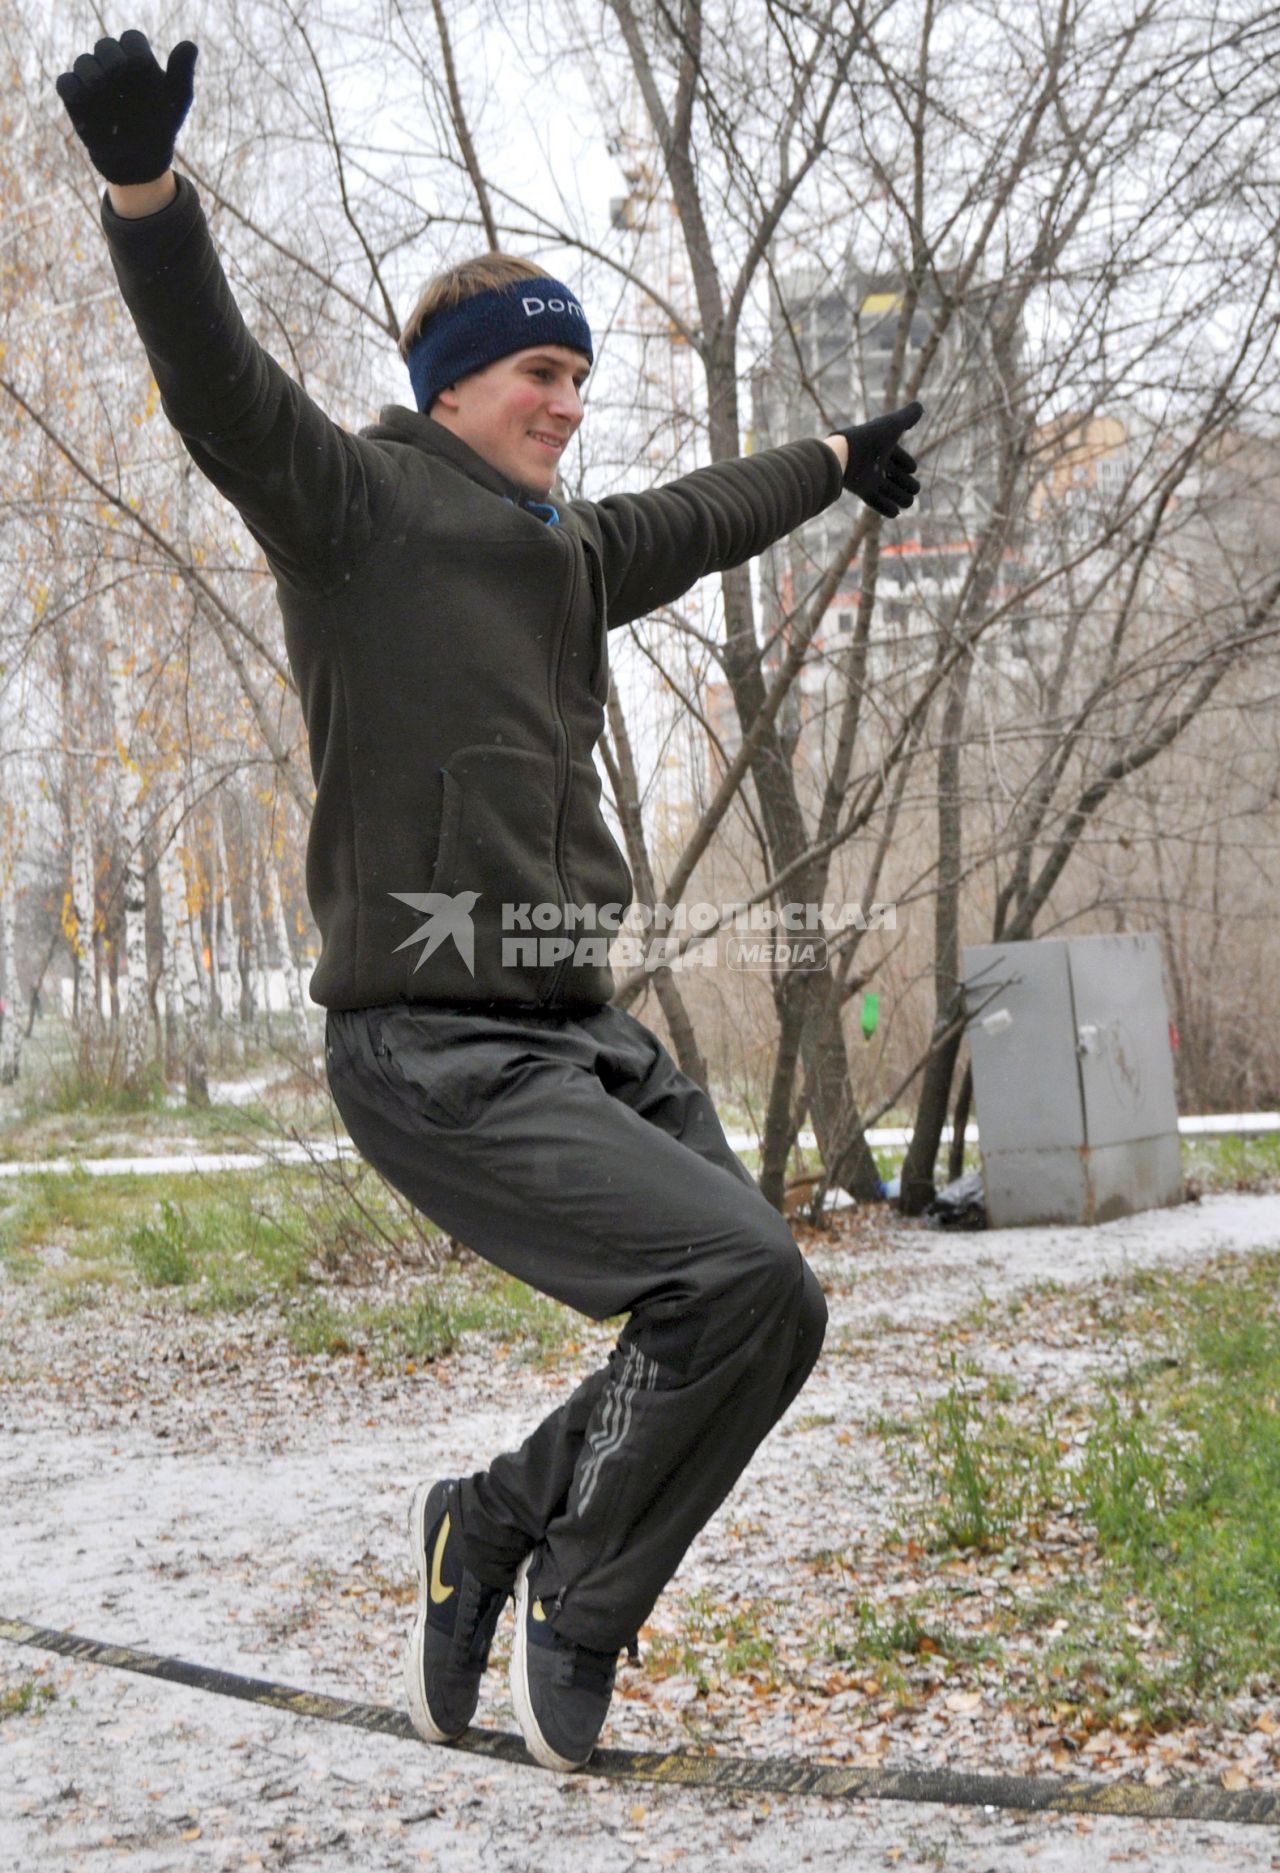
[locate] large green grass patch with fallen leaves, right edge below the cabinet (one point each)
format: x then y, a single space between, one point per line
1176 1602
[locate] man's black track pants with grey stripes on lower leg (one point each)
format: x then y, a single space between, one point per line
573 1153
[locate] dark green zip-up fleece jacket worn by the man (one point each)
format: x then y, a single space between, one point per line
449 647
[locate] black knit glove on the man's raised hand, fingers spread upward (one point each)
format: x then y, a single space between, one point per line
127 111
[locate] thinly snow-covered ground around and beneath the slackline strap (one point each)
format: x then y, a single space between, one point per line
190 1488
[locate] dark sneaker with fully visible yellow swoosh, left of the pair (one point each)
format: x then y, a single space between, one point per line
449 1647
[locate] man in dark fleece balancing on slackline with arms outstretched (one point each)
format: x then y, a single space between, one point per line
445 617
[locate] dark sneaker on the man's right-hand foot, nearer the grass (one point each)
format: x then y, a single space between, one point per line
561 1690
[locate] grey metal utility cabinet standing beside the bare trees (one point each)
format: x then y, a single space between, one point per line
1073 1076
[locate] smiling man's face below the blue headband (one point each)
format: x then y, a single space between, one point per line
520 413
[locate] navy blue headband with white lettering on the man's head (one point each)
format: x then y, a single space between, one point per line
494 325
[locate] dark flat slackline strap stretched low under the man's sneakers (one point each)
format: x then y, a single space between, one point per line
679 1771
